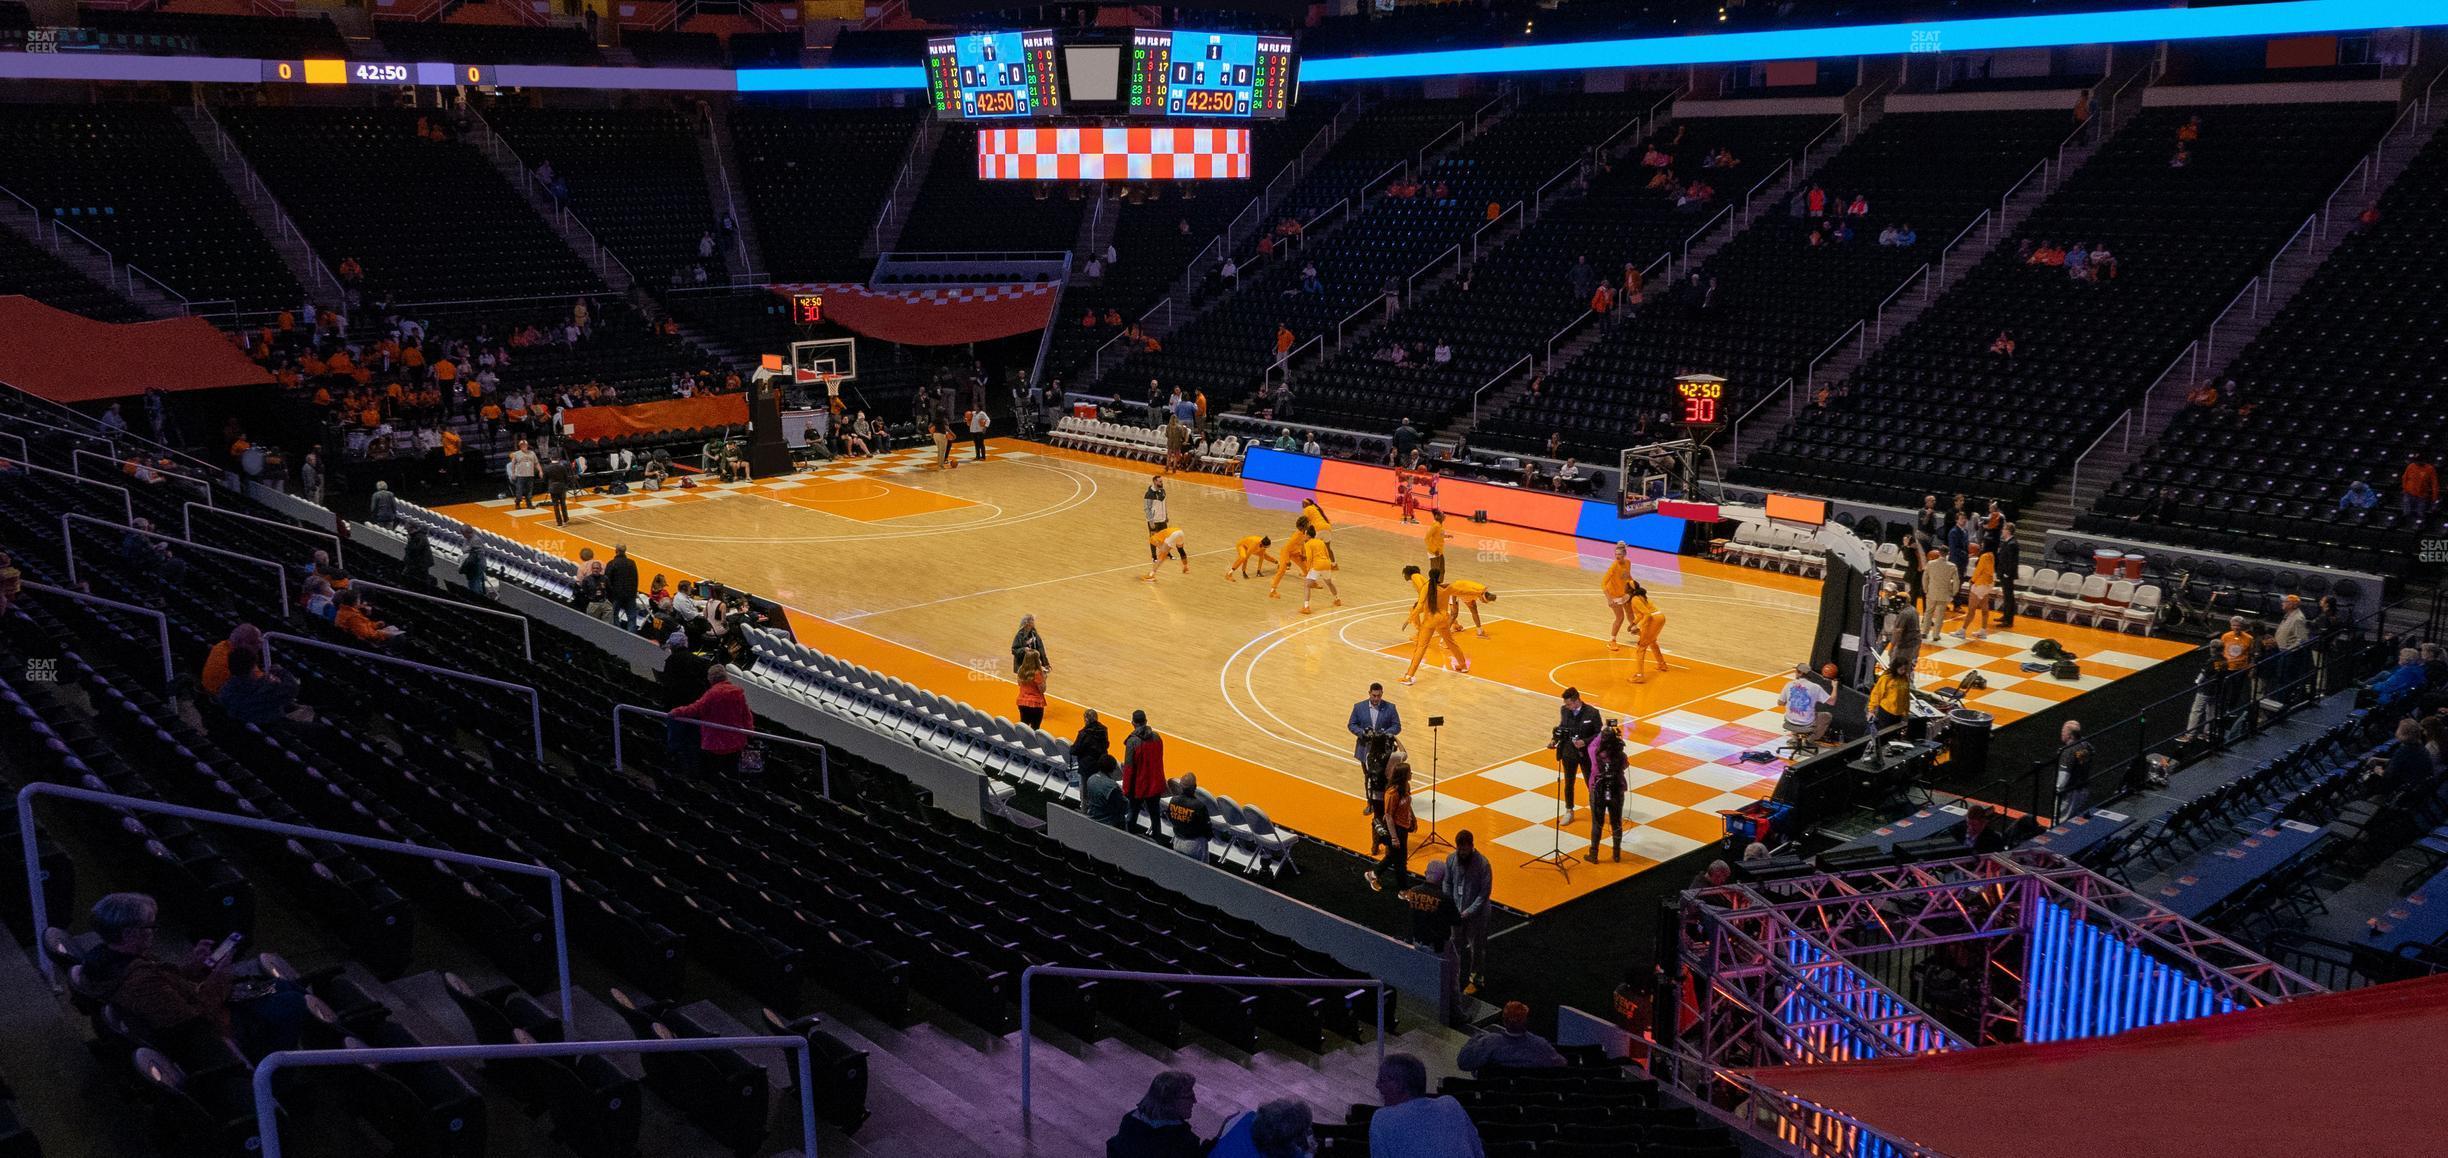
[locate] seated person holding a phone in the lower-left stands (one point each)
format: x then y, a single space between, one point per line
207 993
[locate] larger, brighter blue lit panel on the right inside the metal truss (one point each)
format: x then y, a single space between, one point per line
2084 983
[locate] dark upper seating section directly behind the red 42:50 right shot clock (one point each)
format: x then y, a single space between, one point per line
1764 324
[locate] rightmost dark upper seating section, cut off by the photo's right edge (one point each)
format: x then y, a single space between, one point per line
2342 388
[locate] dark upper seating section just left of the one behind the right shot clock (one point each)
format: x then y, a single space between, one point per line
1526 293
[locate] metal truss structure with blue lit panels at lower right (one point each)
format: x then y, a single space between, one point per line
1818 968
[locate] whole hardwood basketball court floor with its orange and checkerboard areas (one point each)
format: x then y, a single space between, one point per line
927 574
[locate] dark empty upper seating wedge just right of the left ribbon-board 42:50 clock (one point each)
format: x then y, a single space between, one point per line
635 180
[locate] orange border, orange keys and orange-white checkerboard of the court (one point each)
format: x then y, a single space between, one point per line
1693 726
